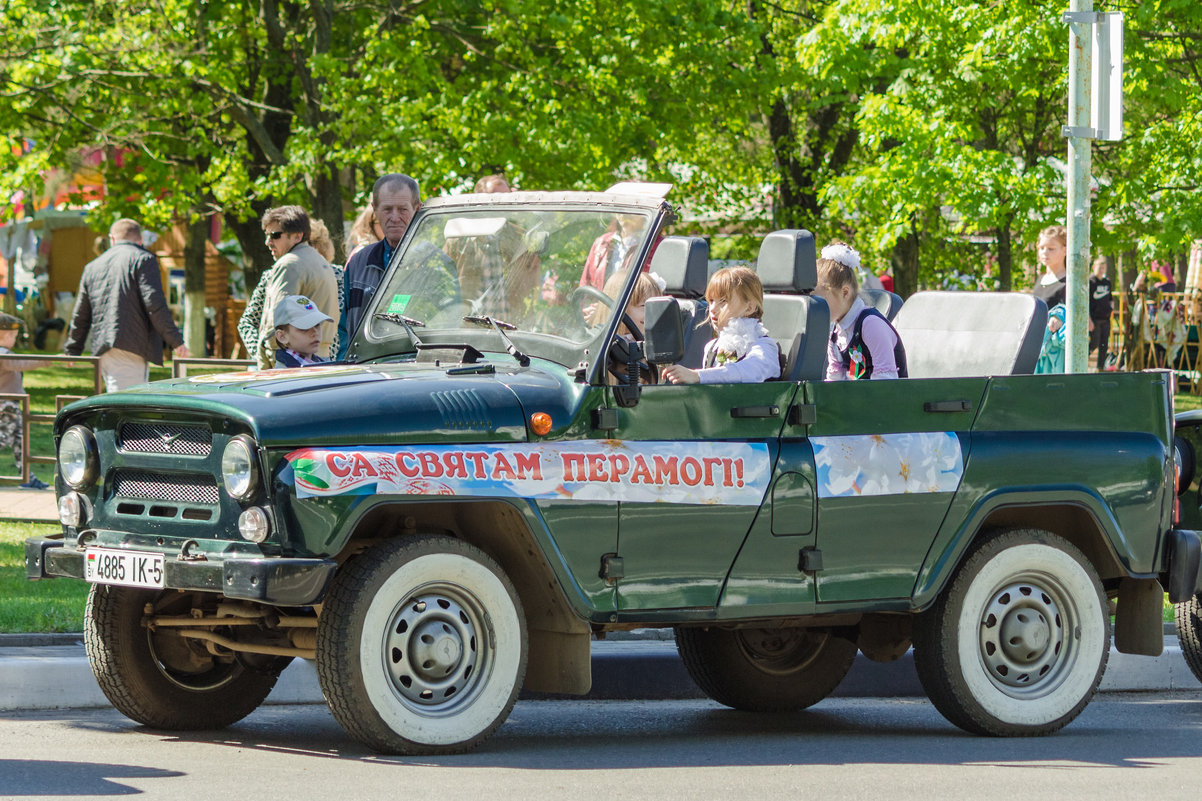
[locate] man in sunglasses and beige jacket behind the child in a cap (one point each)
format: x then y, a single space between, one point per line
299 270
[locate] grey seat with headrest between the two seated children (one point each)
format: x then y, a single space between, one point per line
799 322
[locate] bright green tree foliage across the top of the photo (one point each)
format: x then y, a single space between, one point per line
911 129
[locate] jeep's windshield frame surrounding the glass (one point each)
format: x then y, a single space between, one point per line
368 347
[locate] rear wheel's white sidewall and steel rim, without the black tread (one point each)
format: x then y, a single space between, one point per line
1032 634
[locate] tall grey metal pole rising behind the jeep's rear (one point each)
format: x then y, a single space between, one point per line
1080 134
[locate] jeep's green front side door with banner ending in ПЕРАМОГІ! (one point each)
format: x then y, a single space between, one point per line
722 443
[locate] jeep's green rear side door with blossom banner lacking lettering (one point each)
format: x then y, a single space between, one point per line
889 459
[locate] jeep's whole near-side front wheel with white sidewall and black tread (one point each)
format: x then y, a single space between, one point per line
421 646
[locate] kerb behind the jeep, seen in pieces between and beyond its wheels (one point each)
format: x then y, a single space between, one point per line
51 672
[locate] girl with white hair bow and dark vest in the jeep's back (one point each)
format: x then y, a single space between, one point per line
864 343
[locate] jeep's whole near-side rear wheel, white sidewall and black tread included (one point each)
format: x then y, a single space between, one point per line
1019 642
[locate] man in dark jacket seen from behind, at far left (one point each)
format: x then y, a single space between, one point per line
123 307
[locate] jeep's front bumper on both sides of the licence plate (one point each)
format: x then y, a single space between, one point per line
278 582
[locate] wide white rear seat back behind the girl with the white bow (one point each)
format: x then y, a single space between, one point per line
972 334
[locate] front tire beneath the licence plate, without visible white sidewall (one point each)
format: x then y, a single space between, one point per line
165 681
